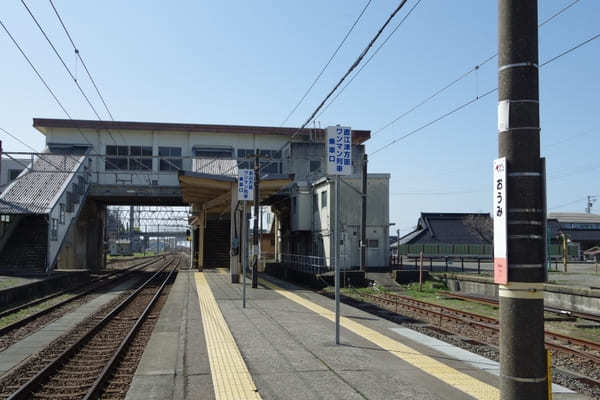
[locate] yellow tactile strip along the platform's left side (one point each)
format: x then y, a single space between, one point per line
230 376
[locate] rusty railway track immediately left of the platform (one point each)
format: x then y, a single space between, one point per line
81 364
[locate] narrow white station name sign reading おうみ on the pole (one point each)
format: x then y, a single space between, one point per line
500 232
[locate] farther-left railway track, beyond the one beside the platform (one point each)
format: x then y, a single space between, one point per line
22 327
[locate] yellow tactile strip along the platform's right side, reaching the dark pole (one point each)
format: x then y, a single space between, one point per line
463 382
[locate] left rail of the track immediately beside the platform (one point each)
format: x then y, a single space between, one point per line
24 392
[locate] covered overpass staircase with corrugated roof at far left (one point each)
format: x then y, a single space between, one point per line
38 209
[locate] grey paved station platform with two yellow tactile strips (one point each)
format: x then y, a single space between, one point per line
282 346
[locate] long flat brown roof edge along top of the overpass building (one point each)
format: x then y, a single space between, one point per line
42 124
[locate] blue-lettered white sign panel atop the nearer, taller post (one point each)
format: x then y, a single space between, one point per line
339 150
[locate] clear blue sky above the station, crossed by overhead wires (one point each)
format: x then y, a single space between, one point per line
241 62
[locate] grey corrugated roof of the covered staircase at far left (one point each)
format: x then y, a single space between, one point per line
35 190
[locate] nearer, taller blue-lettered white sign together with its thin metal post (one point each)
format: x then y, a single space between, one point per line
338 150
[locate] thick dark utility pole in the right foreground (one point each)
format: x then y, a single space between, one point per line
522 355
